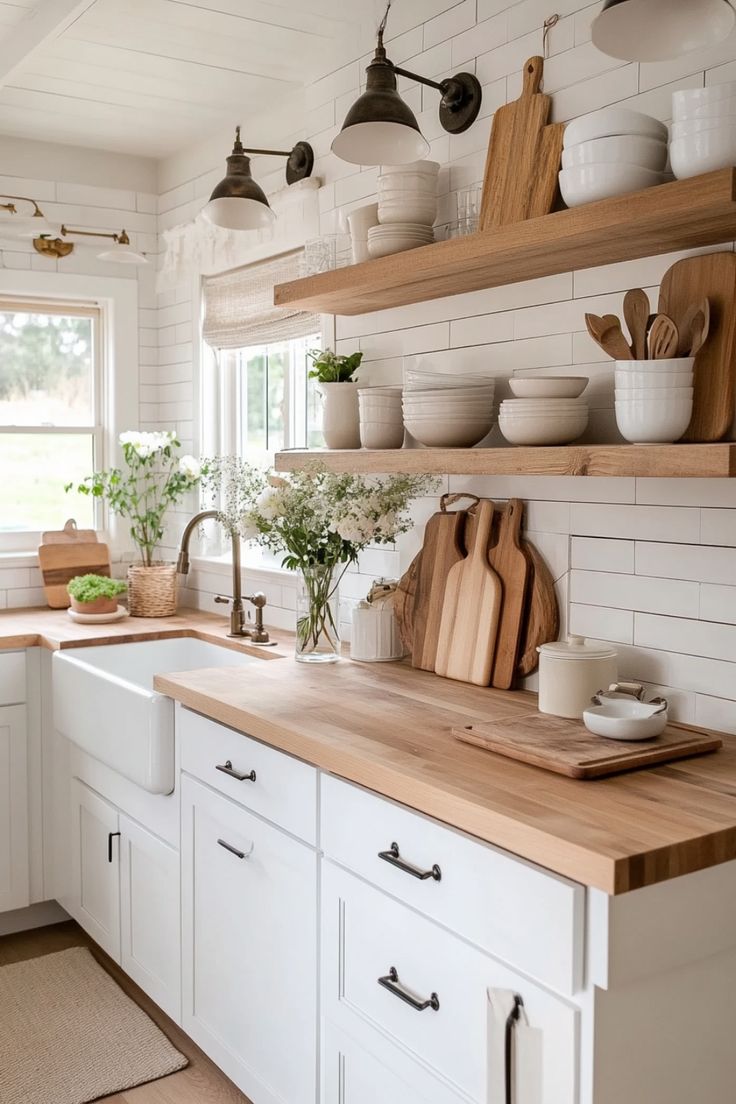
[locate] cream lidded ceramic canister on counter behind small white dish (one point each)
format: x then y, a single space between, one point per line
572 672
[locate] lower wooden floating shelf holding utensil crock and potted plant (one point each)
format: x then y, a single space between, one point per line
705 462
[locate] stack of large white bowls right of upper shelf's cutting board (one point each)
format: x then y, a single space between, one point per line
611 153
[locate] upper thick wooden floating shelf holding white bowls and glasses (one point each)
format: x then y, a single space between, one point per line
680 216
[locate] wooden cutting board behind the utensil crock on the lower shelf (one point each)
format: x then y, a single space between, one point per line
711 277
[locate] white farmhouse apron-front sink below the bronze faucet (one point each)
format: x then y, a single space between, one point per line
105 703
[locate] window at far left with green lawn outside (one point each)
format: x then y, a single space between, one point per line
50 412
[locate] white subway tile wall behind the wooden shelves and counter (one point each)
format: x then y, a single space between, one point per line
648 565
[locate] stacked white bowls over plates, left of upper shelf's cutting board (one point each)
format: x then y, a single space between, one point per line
408 208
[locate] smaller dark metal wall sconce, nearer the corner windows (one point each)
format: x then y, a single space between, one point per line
239 203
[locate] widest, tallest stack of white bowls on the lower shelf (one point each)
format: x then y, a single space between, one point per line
443 411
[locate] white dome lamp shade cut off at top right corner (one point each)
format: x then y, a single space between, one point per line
658 30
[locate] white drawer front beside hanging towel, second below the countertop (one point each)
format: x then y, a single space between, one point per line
367 933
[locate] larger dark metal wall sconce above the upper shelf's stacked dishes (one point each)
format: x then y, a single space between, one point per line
380 129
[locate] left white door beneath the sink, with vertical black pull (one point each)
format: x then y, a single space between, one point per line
95 898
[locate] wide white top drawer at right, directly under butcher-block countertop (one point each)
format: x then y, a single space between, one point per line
517 911
